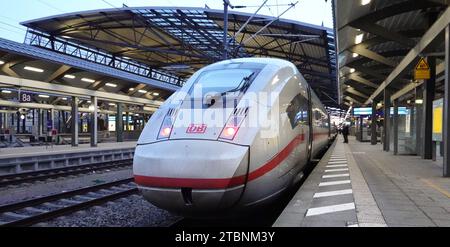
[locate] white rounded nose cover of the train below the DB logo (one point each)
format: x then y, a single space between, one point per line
191 176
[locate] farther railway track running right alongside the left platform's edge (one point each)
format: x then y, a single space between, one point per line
27 177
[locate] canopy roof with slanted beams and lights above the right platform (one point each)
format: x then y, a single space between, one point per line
373 43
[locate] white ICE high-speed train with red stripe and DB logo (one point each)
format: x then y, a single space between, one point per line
228 159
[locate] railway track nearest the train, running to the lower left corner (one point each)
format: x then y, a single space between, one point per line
40 209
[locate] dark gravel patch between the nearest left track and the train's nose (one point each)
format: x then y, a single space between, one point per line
132 211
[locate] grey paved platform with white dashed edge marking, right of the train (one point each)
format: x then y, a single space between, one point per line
359 185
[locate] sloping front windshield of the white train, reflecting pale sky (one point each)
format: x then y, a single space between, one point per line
222 81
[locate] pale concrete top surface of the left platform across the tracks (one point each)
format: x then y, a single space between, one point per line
61 149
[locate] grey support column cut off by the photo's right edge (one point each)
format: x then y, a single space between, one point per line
446 117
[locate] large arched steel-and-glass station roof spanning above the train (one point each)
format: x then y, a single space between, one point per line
179 41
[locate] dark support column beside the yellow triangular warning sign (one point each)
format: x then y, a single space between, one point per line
428 97
